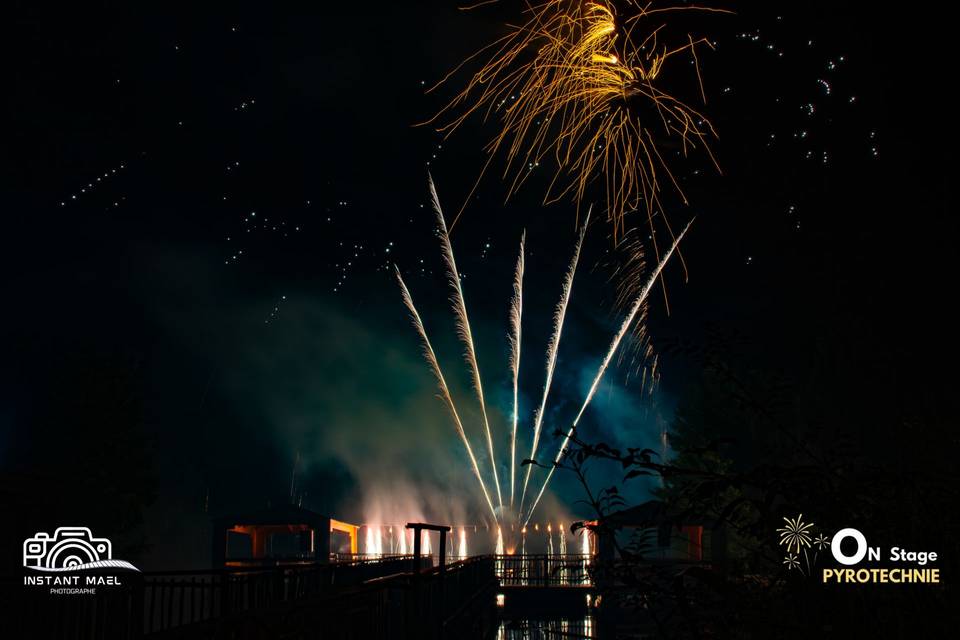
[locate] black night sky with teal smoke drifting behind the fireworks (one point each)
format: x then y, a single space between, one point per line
202 207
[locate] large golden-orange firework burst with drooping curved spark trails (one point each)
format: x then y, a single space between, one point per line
581 83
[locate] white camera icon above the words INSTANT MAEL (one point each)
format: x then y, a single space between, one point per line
70 549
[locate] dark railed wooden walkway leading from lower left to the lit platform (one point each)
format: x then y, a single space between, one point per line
389 597
